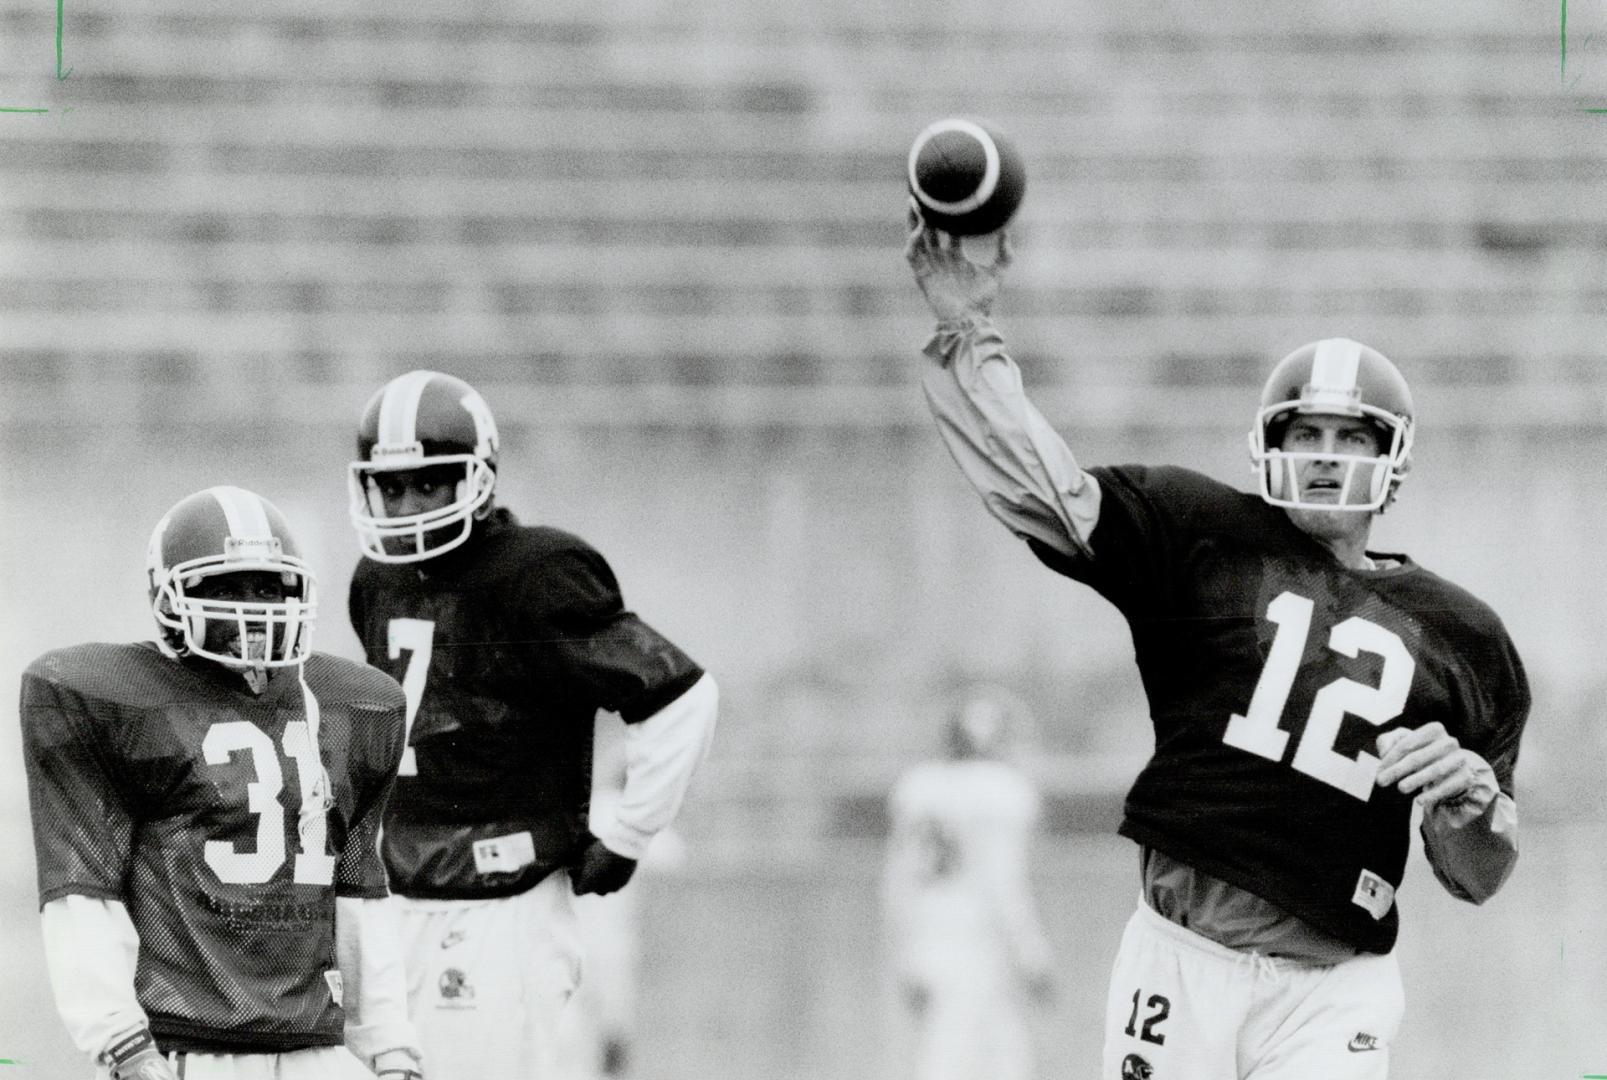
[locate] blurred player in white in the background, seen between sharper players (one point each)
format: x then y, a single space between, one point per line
968 952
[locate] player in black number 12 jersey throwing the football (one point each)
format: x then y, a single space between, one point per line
1306 692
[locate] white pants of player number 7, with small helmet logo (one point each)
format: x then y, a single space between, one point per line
489 980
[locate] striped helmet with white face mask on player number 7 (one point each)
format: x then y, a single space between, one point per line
415 422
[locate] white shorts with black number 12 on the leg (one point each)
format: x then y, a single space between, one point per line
1185 1007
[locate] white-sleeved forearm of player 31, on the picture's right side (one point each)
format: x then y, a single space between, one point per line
374 981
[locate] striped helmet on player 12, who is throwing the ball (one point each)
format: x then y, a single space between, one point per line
1335 377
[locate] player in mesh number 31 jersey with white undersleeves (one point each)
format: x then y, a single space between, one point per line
205 817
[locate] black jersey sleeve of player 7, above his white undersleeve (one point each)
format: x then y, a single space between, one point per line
618 660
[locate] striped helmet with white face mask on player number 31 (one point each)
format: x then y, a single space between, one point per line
229 531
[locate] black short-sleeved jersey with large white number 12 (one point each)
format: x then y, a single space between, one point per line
1270 673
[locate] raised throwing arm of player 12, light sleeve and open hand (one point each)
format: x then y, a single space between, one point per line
1023 470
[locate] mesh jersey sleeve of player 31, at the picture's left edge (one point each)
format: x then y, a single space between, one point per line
83 825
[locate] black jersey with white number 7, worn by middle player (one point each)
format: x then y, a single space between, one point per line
507 648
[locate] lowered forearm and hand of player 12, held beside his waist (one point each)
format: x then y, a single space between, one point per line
1470 825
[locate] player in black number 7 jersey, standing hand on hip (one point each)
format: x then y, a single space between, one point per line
509 640
